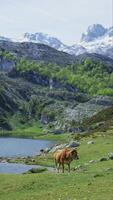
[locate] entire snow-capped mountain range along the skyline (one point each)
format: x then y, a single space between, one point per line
96 39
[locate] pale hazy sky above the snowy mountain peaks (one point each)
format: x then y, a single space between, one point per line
64 19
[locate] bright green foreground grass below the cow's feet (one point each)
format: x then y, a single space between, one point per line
93 184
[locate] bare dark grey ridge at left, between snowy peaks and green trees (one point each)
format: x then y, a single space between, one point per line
32 51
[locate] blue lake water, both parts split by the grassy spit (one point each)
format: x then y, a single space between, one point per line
19 147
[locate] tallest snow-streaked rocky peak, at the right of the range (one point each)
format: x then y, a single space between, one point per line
96 39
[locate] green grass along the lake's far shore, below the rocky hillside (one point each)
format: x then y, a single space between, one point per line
31 129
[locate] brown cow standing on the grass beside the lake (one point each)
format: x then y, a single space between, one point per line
65 156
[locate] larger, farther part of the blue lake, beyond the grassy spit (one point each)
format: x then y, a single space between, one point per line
16 147
